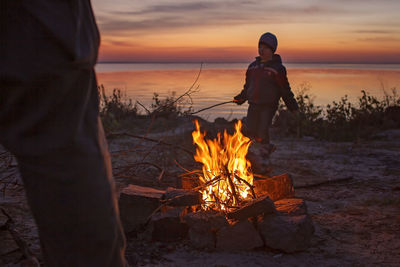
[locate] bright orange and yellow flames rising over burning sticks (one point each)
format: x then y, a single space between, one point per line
227 179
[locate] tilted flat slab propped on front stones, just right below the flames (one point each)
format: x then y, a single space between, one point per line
261 205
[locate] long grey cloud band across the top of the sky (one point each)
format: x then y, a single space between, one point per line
175 16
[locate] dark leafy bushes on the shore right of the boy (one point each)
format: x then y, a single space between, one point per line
341 120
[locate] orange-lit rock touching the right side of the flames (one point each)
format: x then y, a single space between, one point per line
277 187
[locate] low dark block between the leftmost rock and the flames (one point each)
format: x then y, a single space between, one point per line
181 197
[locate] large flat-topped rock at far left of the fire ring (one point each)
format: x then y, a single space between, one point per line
136 204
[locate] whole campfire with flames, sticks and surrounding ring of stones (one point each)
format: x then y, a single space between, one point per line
217 207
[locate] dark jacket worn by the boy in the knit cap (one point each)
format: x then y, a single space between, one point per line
266 83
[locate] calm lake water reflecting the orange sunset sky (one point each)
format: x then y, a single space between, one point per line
220 82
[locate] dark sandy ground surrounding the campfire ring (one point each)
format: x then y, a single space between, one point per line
357 221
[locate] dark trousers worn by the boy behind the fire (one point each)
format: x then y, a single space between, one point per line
259 120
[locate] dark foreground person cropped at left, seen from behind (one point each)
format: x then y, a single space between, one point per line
49 120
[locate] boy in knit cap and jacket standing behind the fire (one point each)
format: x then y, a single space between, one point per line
266 83
